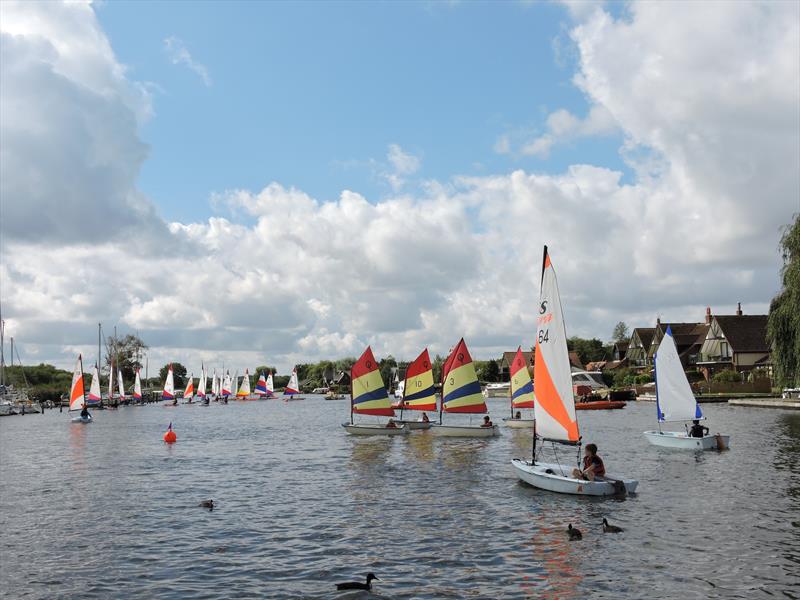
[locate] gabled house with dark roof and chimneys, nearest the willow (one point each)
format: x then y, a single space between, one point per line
736 342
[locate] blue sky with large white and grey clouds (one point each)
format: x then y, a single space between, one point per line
273 183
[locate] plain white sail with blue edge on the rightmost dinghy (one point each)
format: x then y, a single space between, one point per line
674 398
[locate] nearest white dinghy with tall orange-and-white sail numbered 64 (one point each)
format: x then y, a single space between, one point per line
554 404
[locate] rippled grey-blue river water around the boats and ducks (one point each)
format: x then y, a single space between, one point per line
107 510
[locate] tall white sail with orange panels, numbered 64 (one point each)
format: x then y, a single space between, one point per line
554 407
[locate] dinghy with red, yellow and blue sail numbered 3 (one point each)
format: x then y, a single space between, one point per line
461 393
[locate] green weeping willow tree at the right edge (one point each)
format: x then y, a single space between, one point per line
783 328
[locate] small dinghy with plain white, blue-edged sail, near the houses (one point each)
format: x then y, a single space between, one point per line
675 402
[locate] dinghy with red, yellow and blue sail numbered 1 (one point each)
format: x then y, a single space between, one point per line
368 397
